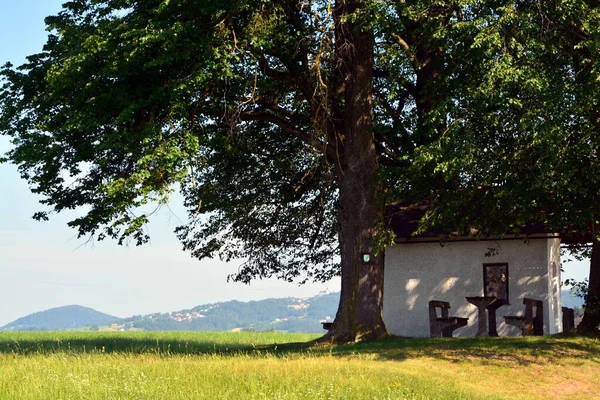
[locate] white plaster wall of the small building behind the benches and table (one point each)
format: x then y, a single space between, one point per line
416 273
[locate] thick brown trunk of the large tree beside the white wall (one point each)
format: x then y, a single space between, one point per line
359 316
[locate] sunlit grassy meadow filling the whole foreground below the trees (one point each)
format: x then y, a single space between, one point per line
176 365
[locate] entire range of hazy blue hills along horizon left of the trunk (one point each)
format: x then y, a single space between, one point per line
284 314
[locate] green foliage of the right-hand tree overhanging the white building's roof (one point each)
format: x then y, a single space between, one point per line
530 154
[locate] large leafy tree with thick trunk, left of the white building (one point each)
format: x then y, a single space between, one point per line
288 125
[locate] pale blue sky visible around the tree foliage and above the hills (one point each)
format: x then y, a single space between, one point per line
43 265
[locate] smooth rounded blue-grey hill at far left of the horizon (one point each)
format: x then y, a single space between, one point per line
60 318
